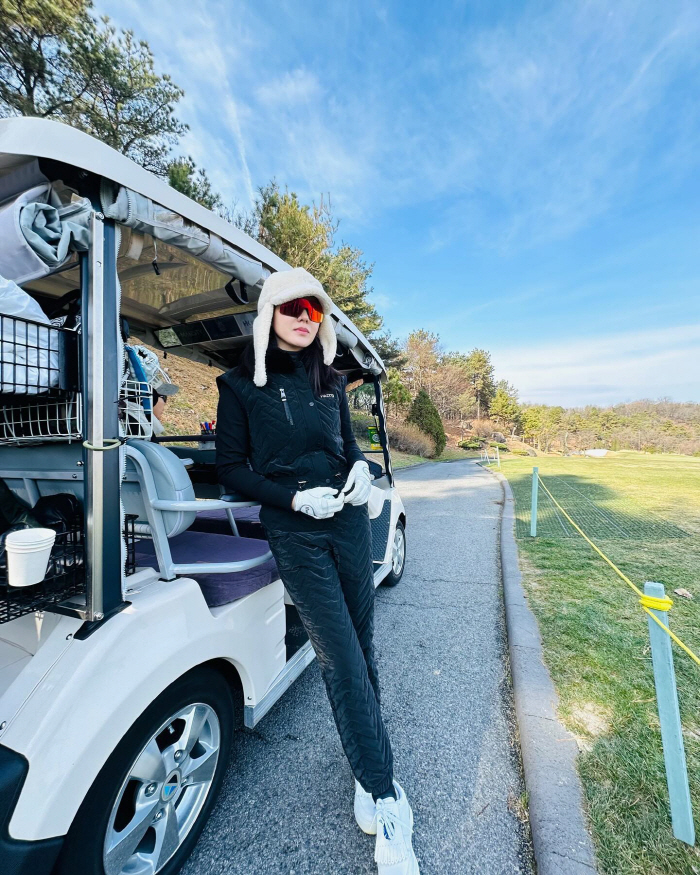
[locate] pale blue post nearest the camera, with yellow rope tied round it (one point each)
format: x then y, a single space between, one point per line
670 719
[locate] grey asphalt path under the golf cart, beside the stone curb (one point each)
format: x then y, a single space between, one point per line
286 804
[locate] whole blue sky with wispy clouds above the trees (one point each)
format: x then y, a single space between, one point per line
524 175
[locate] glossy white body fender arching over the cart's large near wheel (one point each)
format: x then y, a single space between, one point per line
96 688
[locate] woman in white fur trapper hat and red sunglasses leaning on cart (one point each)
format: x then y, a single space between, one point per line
284 438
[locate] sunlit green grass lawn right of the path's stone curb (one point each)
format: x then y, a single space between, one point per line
644 513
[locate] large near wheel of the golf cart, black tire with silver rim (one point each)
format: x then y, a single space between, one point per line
148 805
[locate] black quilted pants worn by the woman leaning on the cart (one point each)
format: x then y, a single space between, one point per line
328 573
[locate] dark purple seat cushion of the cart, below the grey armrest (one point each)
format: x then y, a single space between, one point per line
198 547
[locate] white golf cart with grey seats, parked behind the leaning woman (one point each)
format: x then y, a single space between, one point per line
160 620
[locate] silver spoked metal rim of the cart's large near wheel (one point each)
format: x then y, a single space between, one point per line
163 794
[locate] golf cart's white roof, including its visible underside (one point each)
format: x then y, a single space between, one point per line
182 304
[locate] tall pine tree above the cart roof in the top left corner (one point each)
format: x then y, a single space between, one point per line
58 62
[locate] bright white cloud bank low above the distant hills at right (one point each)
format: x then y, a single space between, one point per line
606 369
